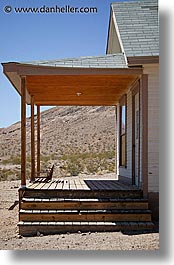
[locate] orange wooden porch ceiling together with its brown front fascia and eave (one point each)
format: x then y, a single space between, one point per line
72 86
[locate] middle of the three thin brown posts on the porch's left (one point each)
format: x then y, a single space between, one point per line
32 178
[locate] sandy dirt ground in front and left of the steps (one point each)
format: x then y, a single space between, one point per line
11 240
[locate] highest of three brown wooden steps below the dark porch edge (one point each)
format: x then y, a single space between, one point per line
77 204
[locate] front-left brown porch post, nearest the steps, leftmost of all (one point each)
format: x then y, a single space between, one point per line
23 133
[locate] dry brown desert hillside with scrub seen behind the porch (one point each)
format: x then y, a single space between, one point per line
78 140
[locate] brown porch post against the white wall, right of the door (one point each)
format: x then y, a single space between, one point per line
144 105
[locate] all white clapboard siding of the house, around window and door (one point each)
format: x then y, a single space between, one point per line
153 130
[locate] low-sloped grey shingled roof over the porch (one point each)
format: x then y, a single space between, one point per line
106 61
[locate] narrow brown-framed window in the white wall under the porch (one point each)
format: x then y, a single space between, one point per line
123 115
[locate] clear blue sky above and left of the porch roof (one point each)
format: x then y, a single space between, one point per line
27 37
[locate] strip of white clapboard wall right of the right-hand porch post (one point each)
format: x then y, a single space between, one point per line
153 126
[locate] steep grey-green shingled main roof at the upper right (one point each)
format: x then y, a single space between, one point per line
138 27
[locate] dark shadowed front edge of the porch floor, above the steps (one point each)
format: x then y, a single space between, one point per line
115 194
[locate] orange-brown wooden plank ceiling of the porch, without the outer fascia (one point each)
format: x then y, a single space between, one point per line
77 90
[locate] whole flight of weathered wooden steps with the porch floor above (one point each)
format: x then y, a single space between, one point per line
65 210
